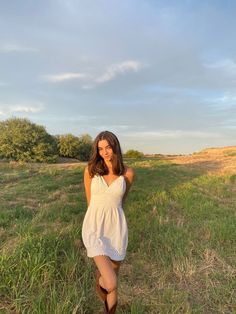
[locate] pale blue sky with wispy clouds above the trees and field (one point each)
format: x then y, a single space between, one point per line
160 75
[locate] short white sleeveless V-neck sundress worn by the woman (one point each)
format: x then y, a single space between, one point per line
104 229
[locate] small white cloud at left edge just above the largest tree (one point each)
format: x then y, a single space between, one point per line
6 109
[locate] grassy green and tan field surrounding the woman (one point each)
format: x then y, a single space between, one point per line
181 256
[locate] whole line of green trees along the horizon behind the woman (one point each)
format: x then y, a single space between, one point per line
22 140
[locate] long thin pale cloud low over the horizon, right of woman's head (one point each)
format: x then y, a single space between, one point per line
172 134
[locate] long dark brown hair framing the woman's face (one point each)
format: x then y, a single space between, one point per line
97 165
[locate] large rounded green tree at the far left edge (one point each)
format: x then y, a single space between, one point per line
23 140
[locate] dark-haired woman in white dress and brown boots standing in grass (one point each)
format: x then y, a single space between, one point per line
105 234
